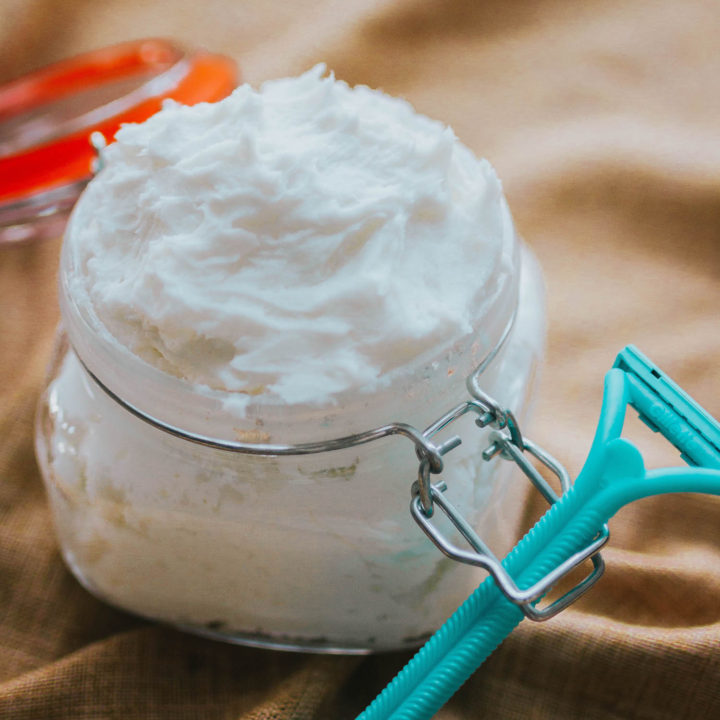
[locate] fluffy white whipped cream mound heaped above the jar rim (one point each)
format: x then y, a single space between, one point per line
291 242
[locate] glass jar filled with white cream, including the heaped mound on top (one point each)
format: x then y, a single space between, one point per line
288 265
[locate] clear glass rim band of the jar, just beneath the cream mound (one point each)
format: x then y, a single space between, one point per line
226 416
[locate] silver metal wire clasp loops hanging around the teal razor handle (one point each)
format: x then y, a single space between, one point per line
507 442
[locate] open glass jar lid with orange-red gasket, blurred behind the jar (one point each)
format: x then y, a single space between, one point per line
47 116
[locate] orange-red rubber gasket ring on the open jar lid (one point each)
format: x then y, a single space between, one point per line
68 159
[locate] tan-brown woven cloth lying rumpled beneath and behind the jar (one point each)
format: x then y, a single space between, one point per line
603 119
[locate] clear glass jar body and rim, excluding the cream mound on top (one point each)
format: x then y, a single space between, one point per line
312 551
